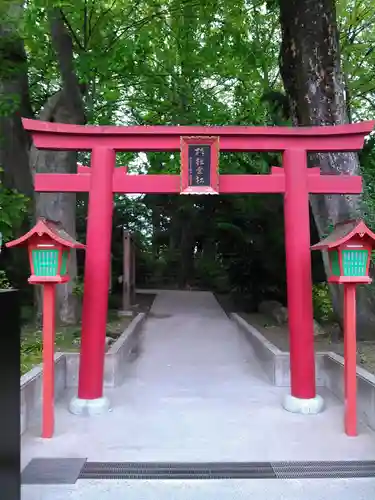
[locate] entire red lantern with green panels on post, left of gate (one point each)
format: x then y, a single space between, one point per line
49 249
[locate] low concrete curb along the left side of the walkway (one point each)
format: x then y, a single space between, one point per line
116 363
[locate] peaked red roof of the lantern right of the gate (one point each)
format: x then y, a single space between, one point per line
343 232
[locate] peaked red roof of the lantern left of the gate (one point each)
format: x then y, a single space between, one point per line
53 229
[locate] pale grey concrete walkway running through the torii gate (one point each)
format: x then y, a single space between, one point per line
196 393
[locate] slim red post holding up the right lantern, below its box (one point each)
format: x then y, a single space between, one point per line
350 347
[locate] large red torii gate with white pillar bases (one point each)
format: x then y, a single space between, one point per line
294 180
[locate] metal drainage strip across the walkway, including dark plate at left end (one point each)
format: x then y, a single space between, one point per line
68 470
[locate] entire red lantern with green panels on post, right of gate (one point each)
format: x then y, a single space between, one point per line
349 248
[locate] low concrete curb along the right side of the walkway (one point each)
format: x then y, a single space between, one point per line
329 370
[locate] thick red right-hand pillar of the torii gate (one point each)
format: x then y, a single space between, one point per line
299 282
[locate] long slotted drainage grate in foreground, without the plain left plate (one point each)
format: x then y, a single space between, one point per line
232 470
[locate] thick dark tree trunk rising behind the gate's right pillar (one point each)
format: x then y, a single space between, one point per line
312 76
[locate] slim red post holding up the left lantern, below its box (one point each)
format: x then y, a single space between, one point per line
48 418
